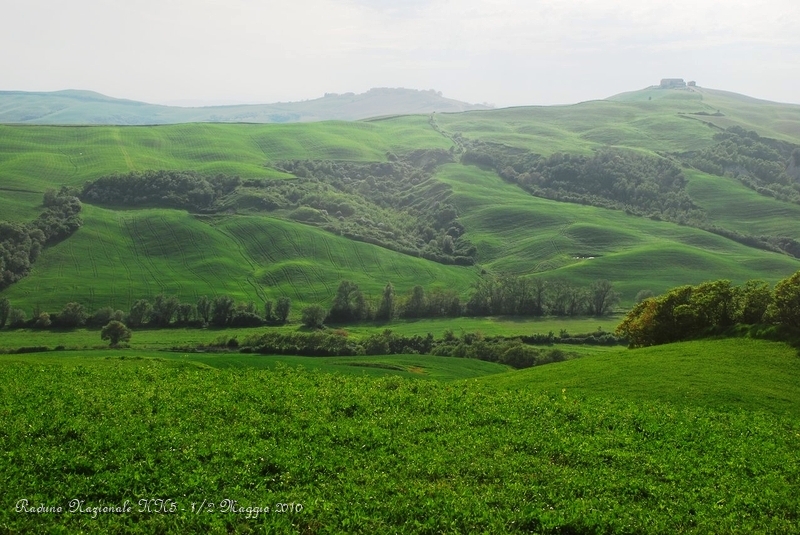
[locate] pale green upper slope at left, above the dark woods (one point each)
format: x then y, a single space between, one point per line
35 158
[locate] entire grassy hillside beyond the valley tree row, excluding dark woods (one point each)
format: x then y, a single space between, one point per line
124 253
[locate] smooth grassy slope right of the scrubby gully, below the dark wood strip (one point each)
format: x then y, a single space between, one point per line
516 232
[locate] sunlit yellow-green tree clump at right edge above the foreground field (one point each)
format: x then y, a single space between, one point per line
690 312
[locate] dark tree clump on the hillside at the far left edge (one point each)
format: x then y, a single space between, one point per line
21 243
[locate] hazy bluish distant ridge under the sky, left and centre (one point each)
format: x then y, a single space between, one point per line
77 107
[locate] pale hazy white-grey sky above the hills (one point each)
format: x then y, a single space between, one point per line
505 52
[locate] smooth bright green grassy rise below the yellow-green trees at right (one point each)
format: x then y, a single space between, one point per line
725 375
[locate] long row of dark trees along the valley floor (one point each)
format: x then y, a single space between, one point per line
491 295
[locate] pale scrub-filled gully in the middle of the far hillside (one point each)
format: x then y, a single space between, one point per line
392 204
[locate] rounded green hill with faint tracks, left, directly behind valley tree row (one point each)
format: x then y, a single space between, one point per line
120 256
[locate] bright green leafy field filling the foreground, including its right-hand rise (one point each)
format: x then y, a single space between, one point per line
507 453
